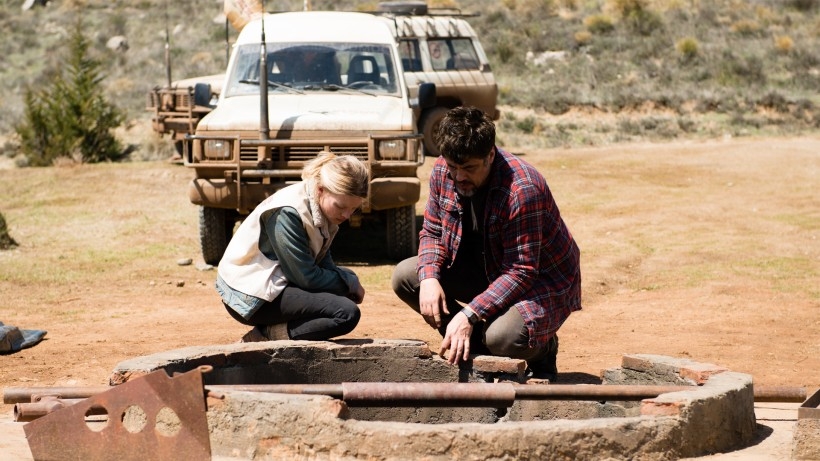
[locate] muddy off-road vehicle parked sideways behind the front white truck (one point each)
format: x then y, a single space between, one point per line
437 45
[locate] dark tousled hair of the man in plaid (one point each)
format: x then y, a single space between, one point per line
465 133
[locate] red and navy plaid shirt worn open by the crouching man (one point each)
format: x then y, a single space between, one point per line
531 259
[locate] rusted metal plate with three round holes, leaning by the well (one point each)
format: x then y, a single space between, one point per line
153 417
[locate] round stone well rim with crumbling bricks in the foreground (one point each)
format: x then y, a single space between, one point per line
716 415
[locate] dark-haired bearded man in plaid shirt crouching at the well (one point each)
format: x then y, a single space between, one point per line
493 240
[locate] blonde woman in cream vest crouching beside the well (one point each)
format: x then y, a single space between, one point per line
277 274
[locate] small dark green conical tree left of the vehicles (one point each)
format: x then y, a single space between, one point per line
71 117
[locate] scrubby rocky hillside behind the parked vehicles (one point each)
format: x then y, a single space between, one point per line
571 72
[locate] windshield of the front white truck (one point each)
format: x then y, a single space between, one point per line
302 67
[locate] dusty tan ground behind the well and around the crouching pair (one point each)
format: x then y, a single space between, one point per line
704 250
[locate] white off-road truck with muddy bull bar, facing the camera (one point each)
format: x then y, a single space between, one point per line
333 83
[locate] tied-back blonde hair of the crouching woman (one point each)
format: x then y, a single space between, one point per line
338 174
